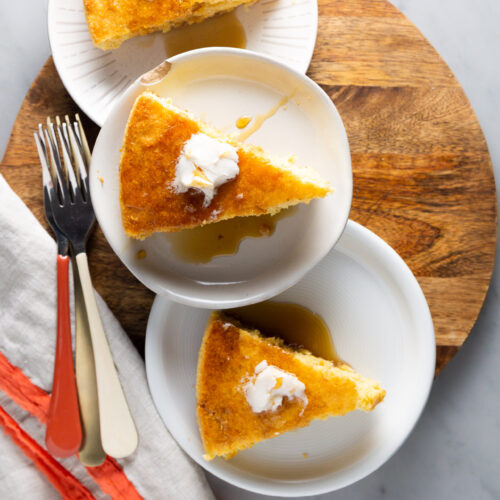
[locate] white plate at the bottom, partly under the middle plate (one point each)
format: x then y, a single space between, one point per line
380 324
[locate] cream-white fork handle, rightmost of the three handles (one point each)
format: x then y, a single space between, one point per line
118 433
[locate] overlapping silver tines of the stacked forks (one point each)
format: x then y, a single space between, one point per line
65 157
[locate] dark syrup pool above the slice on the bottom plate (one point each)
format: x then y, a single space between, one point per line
295 324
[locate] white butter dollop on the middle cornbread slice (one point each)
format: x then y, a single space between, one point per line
205 164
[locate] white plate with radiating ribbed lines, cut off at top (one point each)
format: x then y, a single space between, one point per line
96 79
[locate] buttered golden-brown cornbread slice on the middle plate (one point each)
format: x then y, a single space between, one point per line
154 137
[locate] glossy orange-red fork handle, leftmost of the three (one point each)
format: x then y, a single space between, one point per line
64 432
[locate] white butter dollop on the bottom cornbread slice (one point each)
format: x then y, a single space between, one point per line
269 385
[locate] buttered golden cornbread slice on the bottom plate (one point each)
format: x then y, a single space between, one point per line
228 357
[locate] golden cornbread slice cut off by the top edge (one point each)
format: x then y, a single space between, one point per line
111 22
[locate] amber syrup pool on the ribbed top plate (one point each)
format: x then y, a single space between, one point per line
220 31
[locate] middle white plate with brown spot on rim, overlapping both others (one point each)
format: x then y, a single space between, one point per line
219 85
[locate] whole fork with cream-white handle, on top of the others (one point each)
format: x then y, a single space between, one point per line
74 216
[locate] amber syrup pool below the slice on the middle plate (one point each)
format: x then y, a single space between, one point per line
202 244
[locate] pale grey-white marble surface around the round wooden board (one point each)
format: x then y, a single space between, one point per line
454 450
